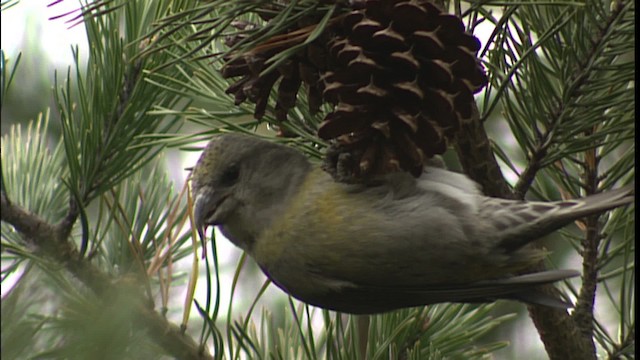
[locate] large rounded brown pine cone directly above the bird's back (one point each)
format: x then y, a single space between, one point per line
402 75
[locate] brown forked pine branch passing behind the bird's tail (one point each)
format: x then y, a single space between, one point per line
564 336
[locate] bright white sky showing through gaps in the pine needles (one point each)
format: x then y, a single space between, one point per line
27 23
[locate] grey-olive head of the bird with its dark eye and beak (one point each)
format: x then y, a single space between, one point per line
241 183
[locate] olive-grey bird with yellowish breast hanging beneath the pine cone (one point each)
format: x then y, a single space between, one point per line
397 242
